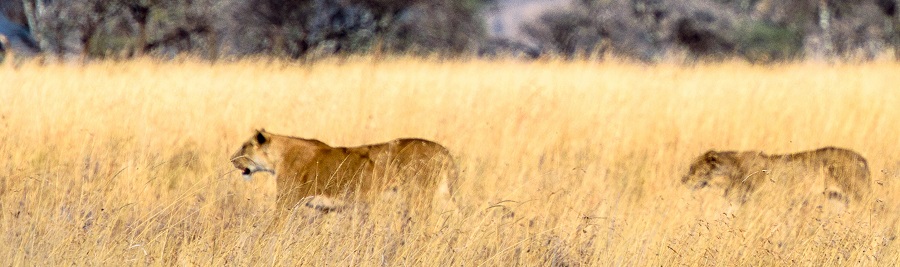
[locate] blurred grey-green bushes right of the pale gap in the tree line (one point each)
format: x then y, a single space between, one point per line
759 30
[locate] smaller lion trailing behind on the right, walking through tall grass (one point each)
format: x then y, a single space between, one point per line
742 173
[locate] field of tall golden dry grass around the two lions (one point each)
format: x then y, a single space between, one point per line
562 163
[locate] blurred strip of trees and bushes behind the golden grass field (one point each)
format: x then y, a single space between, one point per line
643 30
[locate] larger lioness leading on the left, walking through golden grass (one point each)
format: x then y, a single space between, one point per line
420 170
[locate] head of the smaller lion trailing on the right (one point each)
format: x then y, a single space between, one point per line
711 168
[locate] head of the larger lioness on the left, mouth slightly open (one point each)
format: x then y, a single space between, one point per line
253 156
